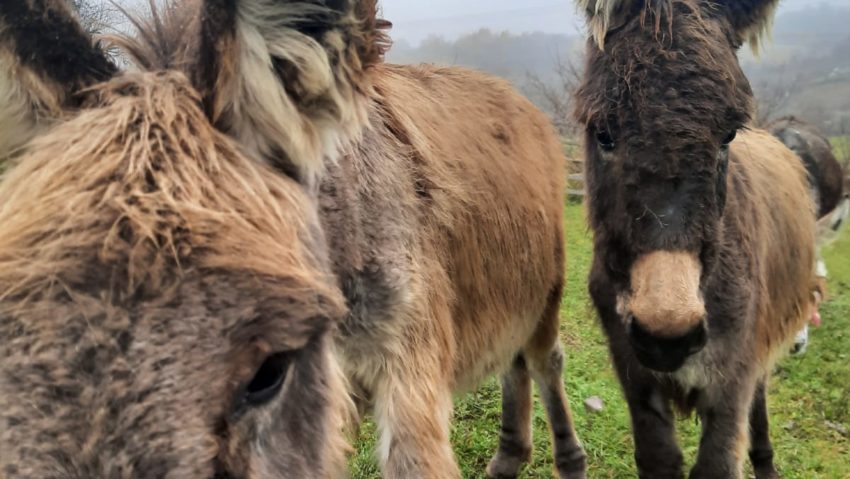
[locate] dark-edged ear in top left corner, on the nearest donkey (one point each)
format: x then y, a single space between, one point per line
46 59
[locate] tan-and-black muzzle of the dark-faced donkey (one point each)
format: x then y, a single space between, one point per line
664 312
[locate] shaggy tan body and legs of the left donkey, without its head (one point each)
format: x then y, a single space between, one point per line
447 240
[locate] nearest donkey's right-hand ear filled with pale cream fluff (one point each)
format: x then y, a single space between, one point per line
288 78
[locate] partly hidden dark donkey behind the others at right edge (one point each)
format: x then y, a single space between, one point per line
826 187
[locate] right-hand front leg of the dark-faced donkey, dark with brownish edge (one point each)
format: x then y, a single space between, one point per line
725 432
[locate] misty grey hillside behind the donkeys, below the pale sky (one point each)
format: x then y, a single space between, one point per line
806 66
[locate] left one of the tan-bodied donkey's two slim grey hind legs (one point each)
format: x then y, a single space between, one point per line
515 435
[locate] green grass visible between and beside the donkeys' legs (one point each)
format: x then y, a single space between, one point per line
806 393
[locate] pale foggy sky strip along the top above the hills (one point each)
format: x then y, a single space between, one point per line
414 20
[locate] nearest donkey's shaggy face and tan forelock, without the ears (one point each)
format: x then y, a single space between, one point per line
148 269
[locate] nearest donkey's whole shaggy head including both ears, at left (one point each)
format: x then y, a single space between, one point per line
166 306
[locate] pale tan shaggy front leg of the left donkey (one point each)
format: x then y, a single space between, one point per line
413 415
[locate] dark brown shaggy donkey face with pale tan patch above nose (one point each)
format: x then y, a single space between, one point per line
662 99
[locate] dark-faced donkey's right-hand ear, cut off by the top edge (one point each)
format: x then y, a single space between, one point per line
751 19
